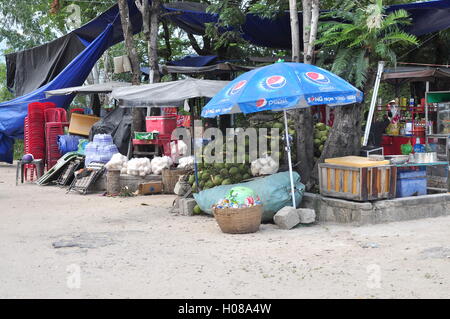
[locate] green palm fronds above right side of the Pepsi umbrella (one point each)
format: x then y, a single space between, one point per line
366 37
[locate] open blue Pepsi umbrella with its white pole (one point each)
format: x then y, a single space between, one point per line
280 87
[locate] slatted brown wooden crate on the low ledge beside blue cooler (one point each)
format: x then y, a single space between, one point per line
357 183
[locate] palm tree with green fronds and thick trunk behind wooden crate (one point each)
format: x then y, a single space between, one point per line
357 39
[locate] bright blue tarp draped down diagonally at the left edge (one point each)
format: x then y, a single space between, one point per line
12 113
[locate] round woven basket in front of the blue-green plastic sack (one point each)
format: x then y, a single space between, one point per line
239 220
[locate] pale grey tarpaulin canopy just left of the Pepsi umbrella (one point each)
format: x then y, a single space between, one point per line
166 94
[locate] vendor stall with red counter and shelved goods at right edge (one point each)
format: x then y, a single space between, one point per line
414 119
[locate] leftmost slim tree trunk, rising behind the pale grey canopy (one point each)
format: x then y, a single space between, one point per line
136 124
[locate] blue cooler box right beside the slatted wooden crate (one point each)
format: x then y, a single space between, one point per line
411 183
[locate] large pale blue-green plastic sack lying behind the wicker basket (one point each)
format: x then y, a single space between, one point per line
274 191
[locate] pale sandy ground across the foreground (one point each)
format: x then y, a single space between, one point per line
135 248
